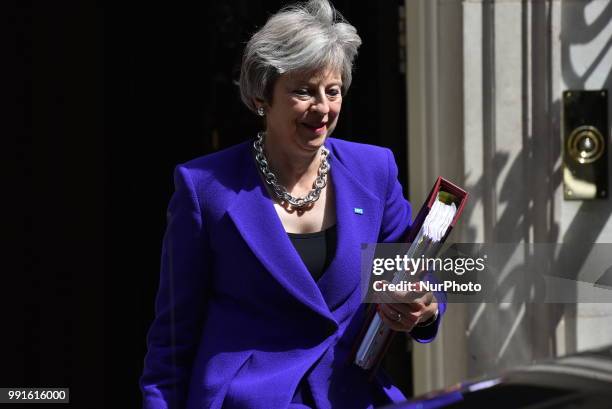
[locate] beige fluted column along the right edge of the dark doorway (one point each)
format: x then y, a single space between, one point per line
435 127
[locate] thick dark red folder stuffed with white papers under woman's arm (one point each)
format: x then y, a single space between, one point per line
431 227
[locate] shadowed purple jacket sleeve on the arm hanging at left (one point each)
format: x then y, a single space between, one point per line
181 300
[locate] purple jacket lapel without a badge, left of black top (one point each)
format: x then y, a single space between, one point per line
253 214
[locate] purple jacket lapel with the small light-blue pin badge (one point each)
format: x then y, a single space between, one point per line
358 218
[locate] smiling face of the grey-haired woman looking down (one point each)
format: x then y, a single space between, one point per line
304 110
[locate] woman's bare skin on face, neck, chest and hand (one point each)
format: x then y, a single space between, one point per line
304 110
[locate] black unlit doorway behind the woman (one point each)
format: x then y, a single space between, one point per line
115 96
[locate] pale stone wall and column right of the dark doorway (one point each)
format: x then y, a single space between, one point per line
484 87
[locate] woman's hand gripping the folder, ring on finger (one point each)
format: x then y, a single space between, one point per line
407 309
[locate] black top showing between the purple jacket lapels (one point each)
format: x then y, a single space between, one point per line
316 249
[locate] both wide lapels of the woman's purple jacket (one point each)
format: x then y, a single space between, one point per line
358 218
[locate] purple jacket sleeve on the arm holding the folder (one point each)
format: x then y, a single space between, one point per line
397 220
